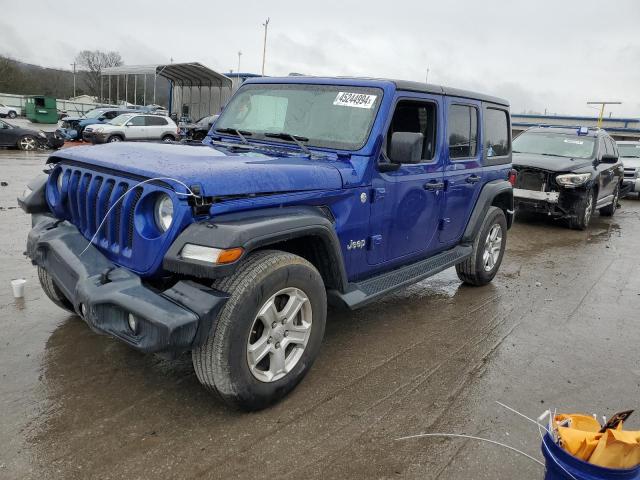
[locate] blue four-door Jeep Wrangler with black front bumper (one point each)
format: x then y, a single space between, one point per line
306 191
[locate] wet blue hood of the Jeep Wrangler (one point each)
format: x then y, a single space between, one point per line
217 172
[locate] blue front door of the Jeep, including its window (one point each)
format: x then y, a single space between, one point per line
406 202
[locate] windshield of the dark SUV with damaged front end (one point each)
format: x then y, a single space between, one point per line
557 144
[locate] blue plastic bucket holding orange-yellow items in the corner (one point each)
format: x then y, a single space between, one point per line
559 462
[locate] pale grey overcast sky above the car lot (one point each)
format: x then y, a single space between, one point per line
552 55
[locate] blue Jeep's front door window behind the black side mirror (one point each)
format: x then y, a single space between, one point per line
415 117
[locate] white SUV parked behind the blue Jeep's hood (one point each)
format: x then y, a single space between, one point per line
133 127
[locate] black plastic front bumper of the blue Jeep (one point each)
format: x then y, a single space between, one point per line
169 321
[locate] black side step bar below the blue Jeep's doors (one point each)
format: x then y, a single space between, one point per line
366 291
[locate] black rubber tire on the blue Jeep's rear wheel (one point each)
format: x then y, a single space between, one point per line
473 270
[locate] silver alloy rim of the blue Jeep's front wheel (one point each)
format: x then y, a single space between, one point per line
279 334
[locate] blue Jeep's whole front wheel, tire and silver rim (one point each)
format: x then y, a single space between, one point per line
268 333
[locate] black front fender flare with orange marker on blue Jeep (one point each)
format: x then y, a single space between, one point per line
253 230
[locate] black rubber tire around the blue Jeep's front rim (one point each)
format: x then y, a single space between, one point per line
221 363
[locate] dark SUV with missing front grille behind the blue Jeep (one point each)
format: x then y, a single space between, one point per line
567 172
